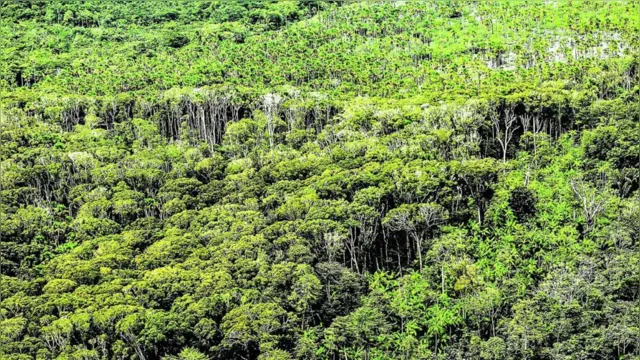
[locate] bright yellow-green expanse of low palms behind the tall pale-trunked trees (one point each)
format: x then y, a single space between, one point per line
374 49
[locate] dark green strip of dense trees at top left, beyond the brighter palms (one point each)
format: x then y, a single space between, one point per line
93 14
